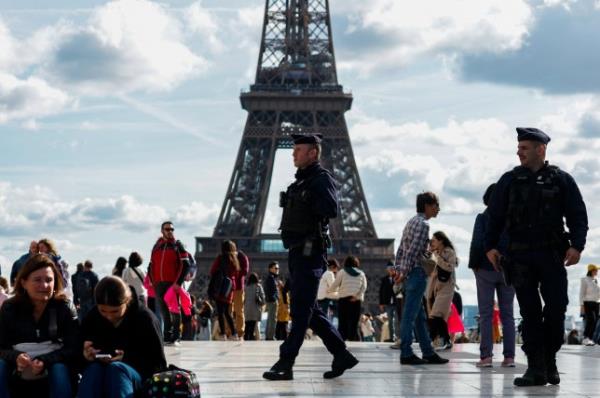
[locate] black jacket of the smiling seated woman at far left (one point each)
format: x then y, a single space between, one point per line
17 325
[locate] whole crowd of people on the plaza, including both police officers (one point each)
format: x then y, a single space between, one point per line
104 337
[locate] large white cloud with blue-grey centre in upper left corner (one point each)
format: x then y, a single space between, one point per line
125 46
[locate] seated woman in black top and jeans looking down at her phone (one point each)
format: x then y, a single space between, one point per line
122 343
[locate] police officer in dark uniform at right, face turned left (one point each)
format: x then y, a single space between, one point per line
532 202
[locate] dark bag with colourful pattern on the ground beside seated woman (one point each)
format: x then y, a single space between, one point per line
173 382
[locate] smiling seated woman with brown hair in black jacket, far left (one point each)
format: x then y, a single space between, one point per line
38 331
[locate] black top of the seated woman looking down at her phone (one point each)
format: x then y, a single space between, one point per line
137 335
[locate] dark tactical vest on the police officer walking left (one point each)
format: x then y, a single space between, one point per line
298 219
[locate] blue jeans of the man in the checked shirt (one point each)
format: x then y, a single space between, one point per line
413 315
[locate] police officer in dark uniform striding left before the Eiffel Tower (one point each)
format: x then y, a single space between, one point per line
308 204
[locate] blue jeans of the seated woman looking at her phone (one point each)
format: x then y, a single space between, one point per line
113 380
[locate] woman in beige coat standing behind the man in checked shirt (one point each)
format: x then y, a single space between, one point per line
441 287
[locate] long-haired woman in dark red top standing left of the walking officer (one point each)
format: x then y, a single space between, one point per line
228 263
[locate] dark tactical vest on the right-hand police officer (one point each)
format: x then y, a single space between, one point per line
535 205
